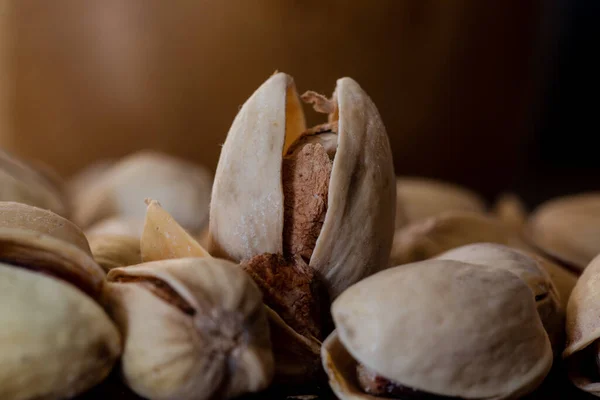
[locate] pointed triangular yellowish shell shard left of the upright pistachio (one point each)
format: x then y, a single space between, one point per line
164 238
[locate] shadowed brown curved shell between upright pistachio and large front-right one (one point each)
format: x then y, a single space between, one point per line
429 237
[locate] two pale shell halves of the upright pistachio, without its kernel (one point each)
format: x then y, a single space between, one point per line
247 205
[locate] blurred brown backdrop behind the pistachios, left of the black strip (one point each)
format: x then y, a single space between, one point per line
457 82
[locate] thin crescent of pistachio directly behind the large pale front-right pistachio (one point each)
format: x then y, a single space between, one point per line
530 270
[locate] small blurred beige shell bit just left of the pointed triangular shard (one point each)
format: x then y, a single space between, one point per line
113 251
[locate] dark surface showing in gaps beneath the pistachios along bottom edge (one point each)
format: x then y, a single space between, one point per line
555 387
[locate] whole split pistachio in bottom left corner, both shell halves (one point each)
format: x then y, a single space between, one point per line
55 339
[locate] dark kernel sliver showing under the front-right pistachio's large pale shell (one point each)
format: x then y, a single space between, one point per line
377 385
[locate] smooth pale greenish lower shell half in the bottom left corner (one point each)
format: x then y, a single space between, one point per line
55 341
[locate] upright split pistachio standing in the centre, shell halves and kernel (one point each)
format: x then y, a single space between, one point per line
282 189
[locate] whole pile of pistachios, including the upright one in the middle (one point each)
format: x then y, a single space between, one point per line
303 259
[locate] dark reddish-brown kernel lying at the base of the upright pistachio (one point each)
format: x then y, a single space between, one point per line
292 290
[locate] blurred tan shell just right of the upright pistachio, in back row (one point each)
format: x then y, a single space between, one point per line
421 198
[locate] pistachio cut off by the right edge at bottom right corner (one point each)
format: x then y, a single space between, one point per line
582 351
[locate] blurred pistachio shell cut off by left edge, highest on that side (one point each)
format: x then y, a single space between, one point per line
22 183
